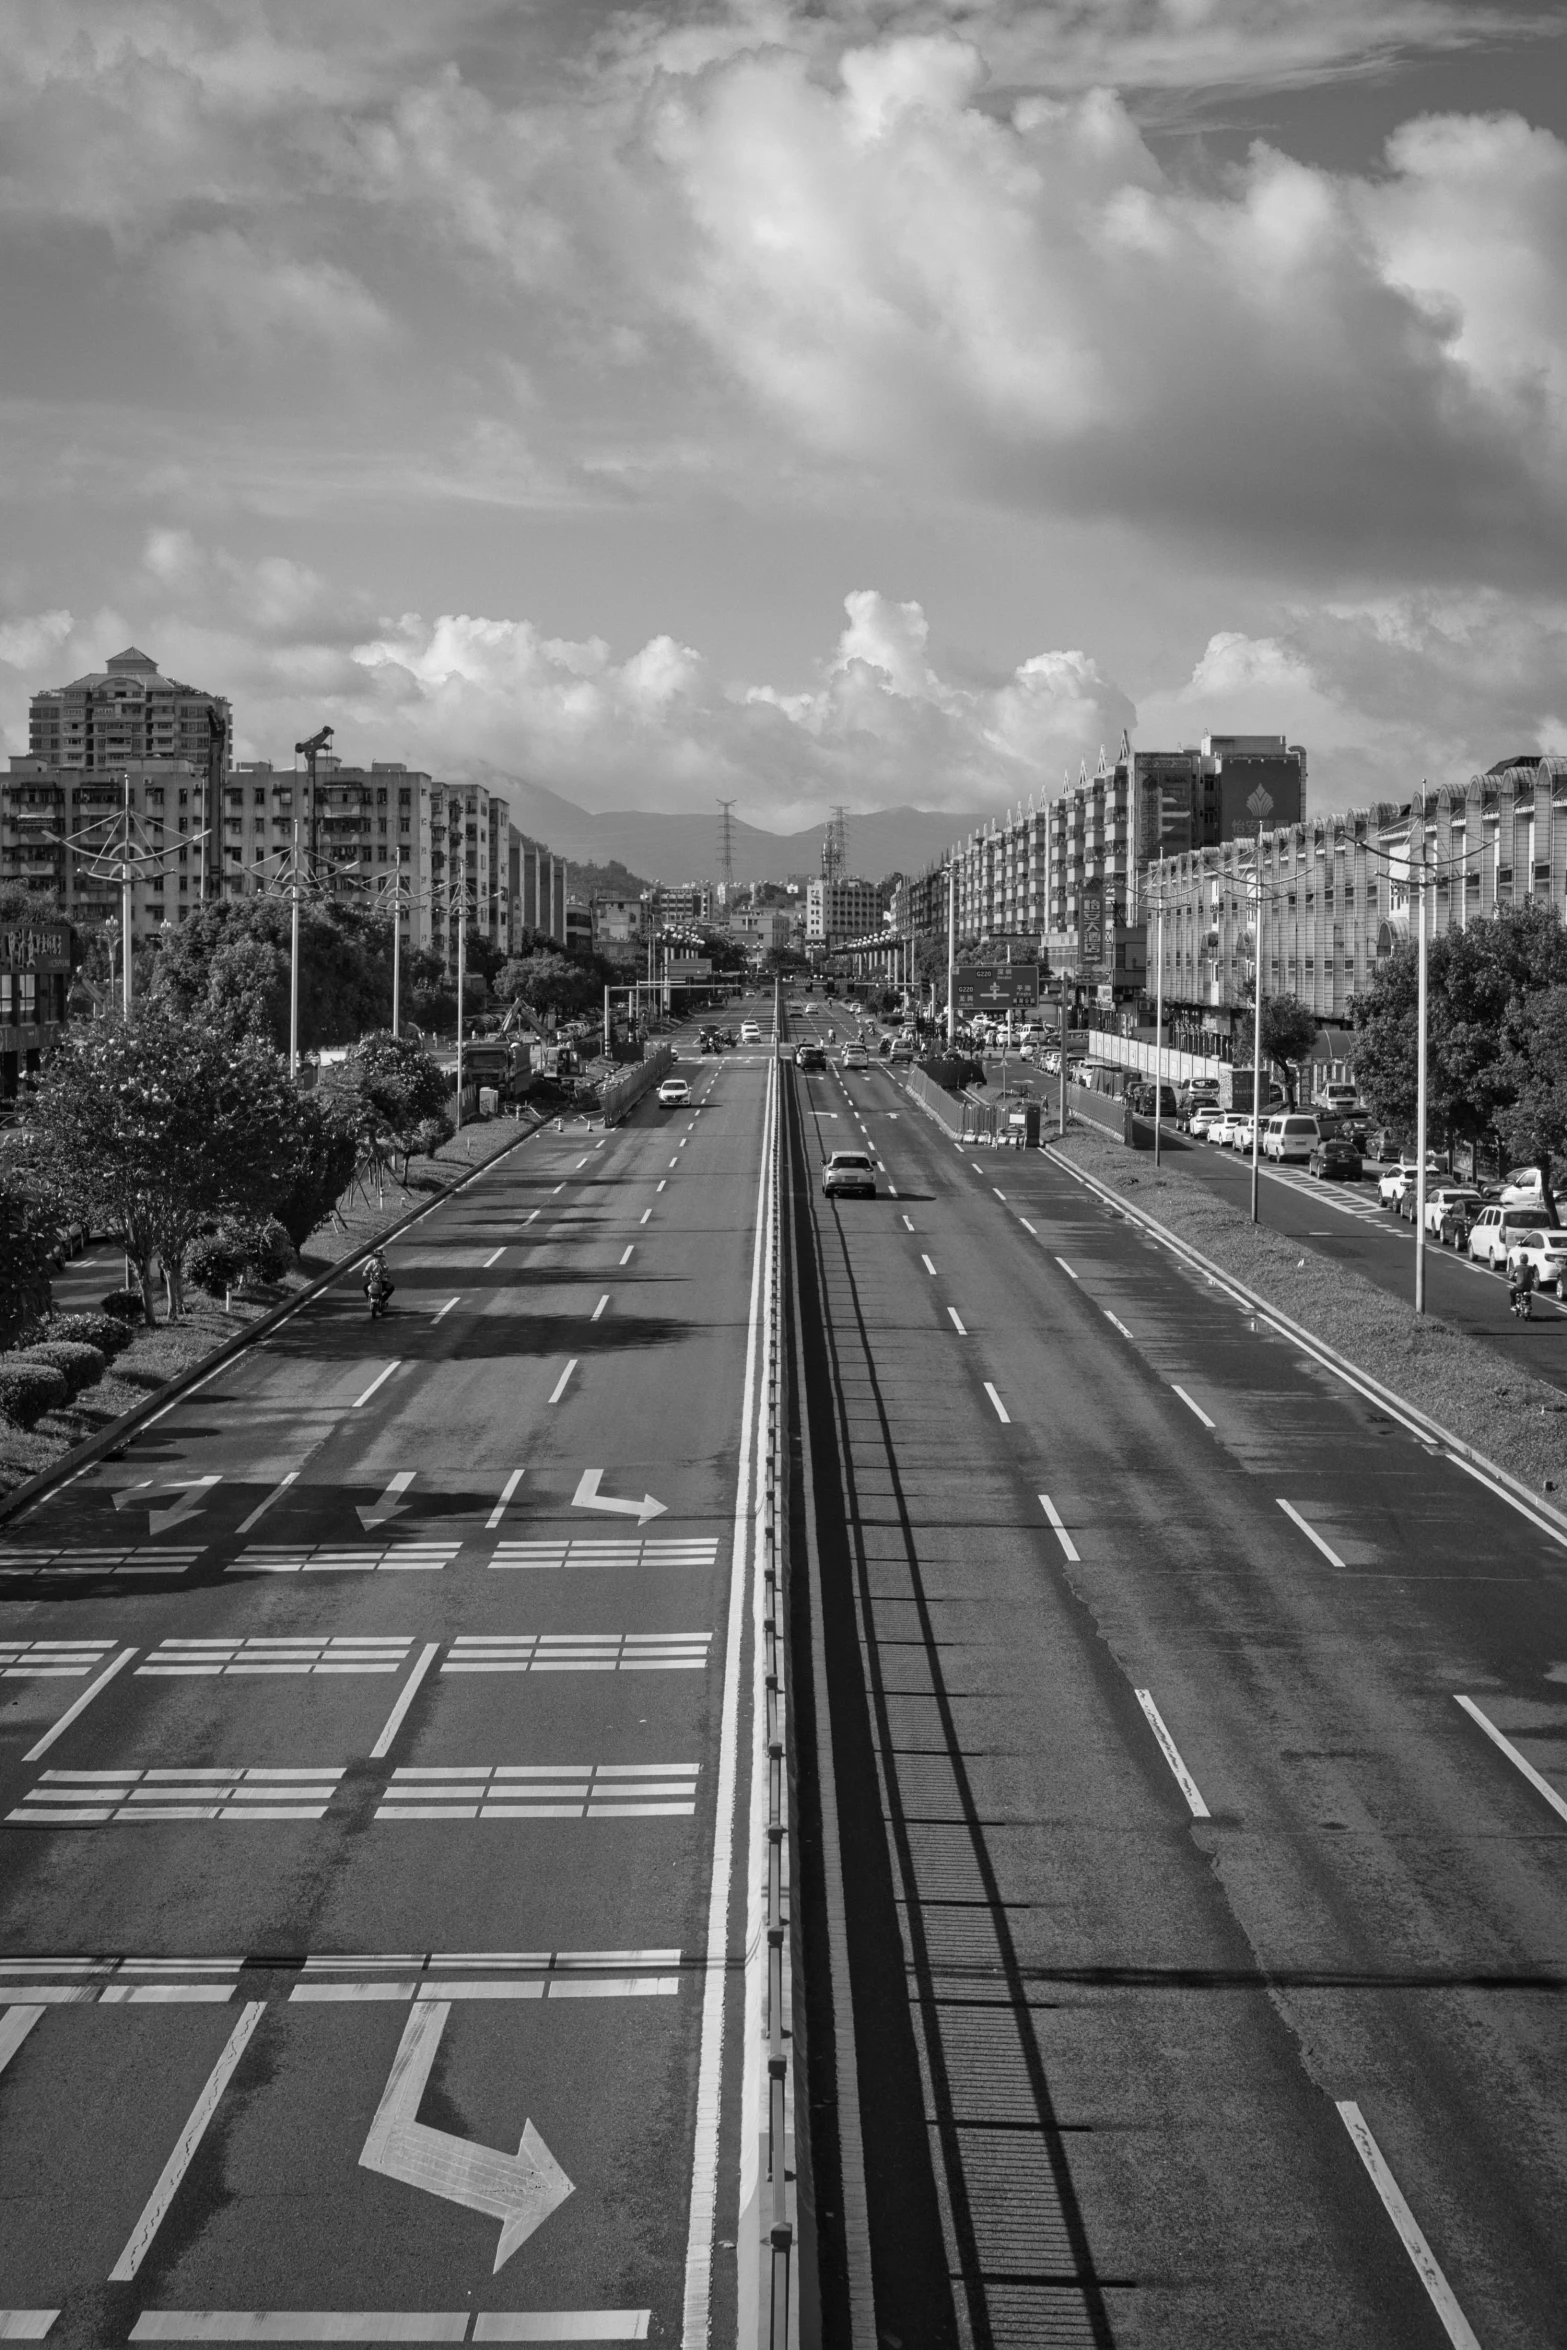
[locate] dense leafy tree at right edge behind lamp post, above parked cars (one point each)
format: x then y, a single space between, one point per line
1479 981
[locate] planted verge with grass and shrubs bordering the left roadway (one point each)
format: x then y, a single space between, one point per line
161 1355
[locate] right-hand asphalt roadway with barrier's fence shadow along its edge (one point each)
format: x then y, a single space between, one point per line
1190 1954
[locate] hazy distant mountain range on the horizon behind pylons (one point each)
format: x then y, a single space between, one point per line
687 847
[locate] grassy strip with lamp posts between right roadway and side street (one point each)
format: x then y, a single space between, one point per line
1500 1409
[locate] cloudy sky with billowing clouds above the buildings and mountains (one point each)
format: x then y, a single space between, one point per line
877 401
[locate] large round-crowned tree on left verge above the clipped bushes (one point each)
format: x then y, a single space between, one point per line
156 1127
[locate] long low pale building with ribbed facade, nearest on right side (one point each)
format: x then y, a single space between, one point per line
1338 892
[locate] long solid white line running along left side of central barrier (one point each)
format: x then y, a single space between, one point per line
715 1985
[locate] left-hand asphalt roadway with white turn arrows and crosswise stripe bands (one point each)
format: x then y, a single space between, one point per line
375 1848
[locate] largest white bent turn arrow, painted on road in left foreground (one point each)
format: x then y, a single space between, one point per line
518 2189
